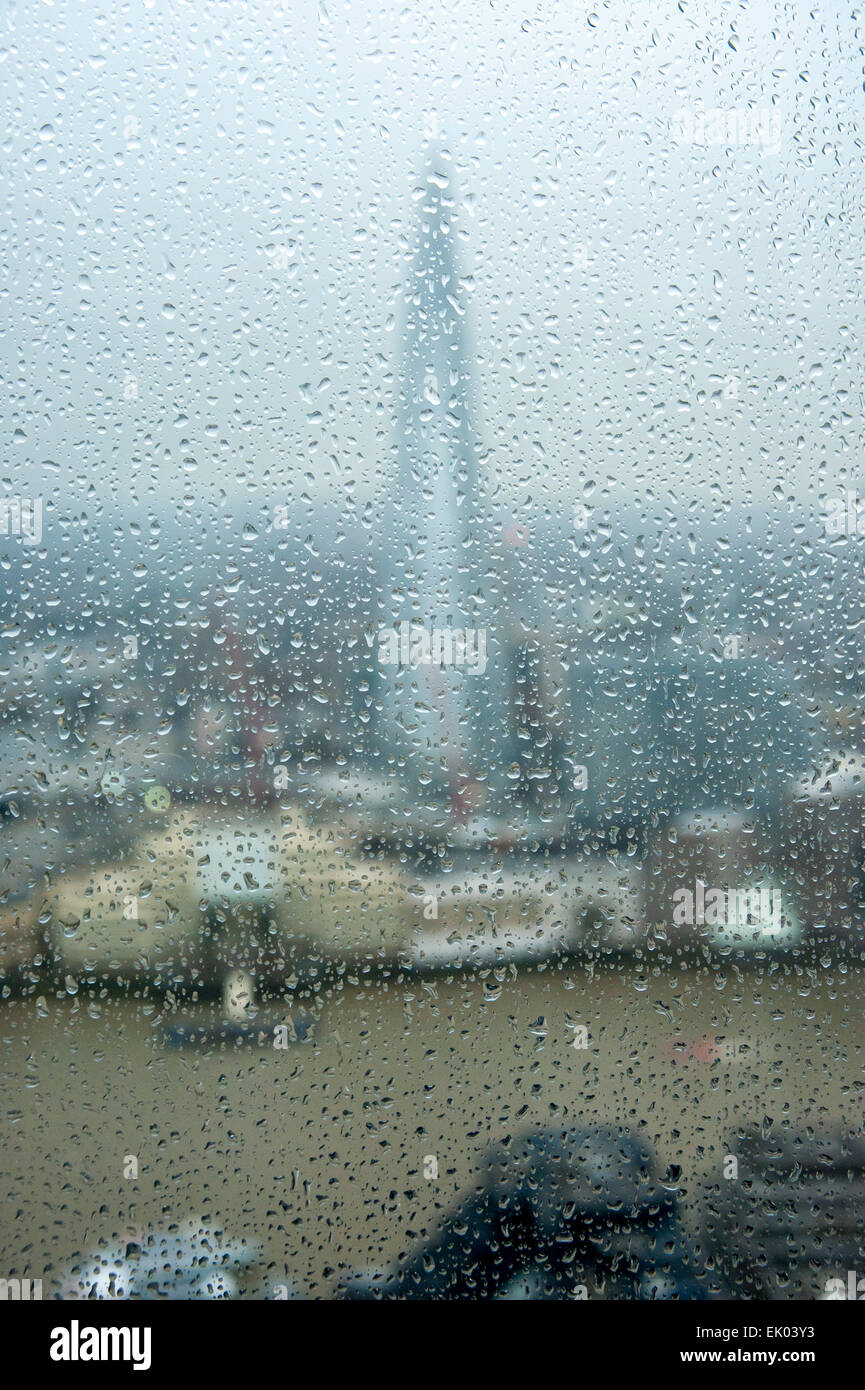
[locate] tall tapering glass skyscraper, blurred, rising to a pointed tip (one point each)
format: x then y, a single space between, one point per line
436 657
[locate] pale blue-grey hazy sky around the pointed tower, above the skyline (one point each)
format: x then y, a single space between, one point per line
211 209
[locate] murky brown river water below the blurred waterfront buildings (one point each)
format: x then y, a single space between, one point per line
318 1152
